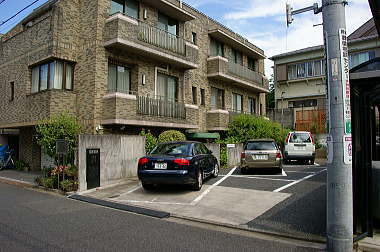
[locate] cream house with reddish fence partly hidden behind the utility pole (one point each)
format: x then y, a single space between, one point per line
300 80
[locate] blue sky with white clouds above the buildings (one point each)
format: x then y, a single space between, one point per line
262 22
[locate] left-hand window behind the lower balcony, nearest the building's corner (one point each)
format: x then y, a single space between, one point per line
119 78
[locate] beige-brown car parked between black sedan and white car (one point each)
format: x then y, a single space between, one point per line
260 153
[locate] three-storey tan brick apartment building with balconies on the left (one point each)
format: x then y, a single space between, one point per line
125 65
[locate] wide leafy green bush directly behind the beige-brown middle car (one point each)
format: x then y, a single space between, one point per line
245 127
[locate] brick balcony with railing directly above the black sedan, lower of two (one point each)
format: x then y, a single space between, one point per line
132 109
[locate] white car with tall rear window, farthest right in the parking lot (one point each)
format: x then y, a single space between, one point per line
299 145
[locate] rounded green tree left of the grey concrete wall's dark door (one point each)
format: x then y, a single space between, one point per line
62 126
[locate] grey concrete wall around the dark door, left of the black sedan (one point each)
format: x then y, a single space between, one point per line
119 157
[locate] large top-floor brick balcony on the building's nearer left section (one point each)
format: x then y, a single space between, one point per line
125 33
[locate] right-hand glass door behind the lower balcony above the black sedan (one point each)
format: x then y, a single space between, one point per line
166 87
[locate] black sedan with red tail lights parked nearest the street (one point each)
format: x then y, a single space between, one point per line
177 163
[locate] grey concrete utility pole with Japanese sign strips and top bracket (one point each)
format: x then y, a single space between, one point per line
339 168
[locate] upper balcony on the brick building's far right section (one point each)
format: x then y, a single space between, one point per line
221 69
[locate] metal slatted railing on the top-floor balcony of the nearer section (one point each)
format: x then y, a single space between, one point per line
161 38
